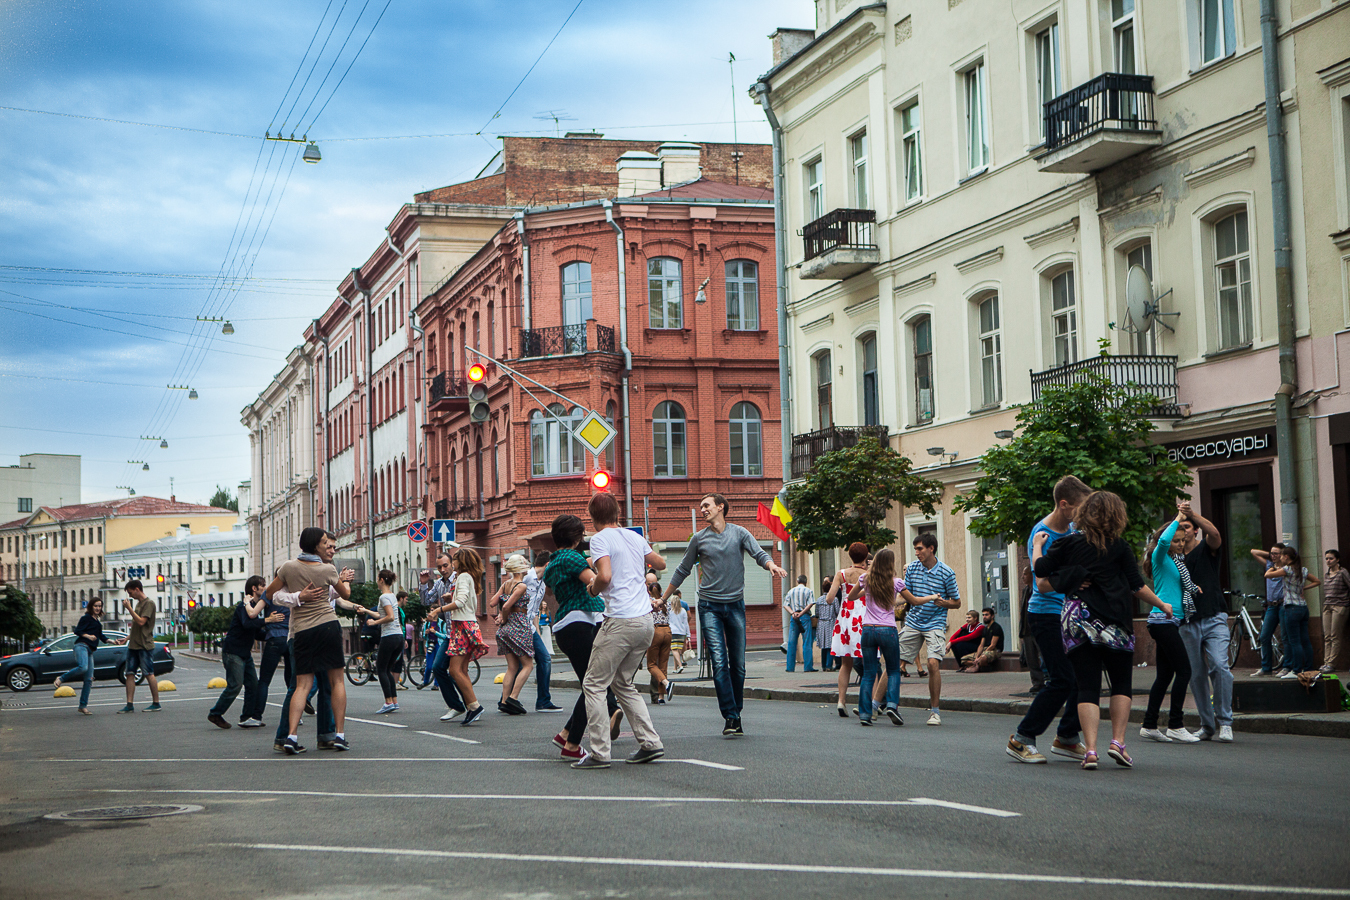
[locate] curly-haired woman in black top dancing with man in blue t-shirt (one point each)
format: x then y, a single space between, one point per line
1098 620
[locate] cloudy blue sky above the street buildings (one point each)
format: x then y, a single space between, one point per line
115 238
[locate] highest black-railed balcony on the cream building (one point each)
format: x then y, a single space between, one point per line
1100 123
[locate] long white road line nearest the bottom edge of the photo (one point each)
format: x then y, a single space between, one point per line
781 868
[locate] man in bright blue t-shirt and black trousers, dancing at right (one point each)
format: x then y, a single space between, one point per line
1060 692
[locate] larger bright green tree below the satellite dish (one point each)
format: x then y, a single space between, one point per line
1094 430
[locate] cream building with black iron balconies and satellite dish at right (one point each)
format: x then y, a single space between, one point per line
967 186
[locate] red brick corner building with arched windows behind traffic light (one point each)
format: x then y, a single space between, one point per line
692 299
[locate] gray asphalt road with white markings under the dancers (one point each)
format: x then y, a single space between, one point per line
805 806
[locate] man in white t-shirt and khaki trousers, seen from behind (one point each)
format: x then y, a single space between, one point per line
620 559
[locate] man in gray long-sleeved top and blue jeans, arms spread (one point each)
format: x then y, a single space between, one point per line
720 554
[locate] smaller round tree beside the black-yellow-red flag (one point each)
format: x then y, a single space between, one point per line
848 495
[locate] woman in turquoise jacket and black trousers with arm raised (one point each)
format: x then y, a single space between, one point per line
1164 565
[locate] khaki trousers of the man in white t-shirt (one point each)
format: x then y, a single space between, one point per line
618 652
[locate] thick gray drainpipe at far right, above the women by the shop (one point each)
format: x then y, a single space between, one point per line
1285 434
